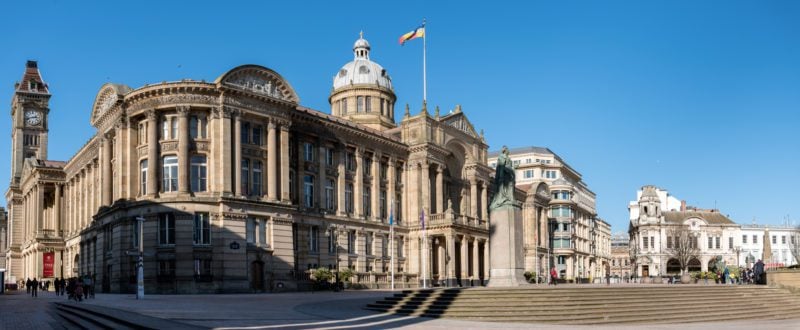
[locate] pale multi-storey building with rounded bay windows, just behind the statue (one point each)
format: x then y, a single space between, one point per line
560 218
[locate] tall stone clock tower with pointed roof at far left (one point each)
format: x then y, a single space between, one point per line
29 110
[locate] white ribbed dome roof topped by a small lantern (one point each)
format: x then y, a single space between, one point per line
361 70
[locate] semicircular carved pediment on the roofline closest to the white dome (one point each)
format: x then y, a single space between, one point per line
260 81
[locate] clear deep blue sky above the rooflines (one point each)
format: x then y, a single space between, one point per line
699 97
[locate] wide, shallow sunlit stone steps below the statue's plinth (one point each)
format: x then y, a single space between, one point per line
598 305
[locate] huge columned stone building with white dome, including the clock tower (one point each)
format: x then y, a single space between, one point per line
243 189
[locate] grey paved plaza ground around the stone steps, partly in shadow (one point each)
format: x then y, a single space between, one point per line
320 310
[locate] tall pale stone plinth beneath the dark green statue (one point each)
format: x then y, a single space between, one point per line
506 257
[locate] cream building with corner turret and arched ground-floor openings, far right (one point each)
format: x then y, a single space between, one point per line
655 221
